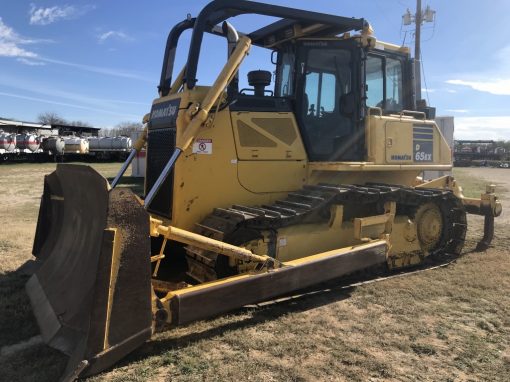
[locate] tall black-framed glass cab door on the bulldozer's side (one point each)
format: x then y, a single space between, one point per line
328 102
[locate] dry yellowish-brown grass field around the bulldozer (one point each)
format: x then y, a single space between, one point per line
447 324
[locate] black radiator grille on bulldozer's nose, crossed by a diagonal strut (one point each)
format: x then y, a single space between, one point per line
160 146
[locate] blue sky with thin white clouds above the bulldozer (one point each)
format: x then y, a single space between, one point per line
100 61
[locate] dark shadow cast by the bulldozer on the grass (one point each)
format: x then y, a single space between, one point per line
18 325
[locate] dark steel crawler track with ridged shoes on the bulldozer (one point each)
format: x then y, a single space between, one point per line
240 224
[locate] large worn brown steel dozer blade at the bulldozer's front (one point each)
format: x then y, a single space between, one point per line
91 294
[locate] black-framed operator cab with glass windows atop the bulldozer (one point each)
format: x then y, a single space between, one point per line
329 84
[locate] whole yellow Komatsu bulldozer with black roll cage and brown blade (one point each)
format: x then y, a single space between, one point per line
250 193
